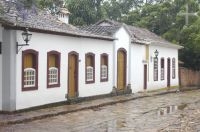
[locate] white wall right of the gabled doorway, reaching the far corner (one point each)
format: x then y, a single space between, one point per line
138 60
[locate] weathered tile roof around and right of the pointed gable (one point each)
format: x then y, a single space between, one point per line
138 35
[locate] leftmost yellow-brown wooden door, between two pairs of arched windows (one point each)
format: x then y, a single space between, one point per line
72 75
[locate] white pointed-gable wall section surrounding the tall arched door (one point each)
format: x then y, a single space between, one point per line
123 41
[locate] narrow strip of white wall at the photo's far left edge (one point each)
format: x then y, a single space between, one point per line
1 70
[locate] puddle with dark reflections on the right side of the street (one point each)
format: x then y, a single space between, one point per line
170 109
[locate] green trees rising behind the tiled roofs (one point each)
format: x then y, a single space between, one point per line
162 17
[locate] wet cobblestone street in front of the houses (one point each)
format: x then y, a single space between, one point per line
176 112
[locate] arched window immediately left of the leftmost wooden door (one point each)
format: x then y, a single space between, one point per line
53 69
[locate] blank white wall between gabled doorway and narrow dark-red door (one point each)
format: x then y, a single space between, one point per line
138 53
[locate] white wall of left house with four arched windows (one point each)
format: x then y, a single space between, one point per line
63 44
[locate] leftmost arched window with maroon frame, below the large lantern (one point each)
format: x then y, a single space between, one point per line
29 70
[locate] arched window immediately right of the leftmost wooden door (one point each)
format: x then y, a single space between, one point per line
89 68
